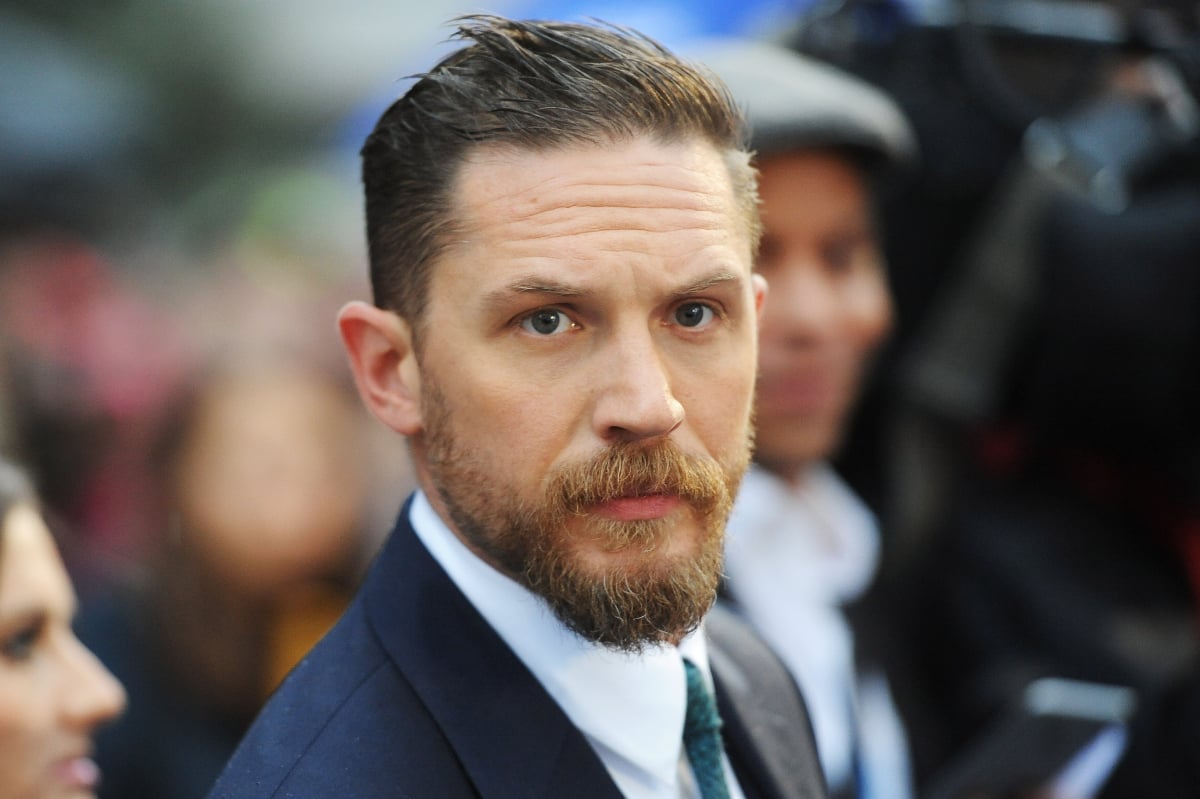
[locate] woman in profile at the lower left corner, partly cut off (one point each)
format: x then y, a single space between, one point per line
53 692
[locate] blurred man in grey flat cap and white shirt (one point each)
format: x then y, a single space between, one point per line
802 546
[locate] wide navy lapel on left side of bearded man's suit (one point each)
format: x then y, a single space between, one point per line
511 736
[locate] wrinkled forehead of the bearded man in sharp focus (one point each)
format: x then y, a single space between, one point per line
637 196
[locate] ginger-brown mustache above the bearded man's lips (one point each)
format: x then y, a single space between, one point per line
638 471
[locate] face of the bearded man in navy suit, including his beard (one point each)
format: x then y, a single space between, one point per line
587 365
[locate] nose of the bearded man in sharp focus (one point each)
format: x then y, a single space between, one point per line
634 399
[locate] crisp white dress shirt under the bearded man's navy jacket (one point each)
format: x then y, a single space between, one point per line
631 708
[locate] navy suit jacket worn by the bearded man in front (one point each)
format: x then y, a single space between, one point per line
415 695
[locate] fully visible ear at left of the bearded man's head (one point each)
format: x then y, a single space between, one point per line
380 346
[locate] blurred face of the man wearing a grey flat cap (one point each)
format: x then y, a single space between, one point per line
830 305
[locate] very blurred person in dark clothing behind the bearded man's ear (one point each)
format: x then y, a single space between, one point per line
263 491
